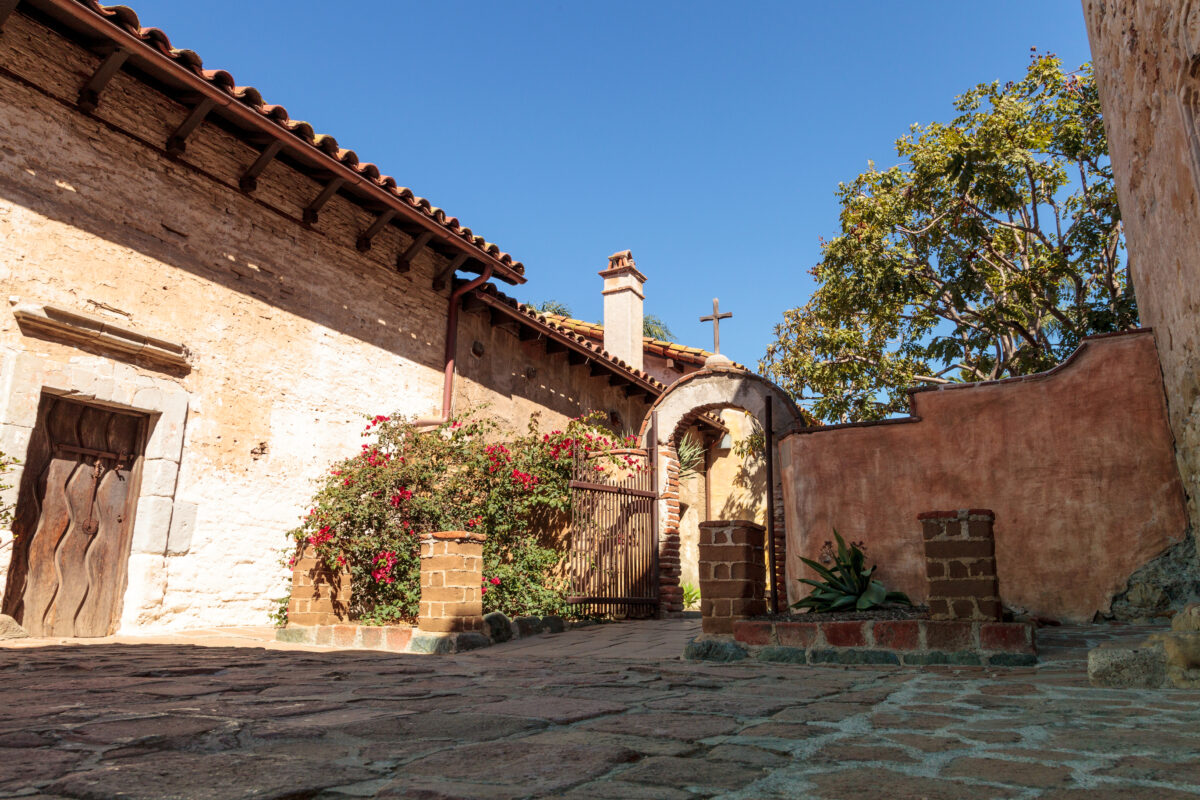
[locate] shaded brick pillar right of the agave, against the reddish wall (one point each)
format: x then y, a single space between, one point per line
961 564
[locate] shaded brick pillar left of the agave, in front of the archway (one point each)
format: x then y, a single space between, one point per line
733 574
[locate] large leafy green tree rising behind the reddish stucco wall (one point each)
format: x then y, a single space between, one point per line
989 252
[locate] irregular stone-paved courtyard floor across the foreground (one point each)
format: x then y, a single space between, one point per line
608 712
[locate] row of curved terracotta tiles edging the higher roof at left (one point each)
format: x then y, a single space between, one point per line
128 20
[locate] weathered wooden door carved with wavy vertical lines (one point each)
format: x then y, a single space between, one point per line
75 520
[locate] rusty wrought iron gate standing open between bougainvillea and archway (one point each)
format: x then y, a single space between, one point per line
614 564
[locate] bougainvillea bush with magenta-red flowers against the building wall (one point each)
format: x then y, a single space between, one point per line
371 509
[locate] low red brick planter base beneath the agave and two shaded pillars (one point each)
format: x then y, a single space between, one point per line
909 642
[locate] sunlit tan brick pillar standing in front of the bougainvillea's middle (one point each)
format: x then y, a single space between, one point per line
452 576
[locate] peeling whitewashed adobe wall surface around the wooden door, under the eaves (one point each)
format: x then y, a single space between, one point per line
295 334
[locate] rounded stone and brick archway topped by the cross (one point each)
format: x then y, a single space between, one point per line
713 389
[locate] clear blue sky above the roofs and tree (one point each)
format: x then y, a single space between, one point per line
707 137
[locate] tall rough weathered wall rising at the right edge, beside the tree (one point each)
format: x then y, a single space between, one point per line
1141 52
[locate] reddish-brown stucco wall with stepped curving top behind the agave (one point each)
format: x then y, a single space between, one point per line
1077 464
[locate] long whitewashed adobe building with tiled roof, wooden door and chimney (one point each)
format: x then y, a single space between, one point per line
206 300
